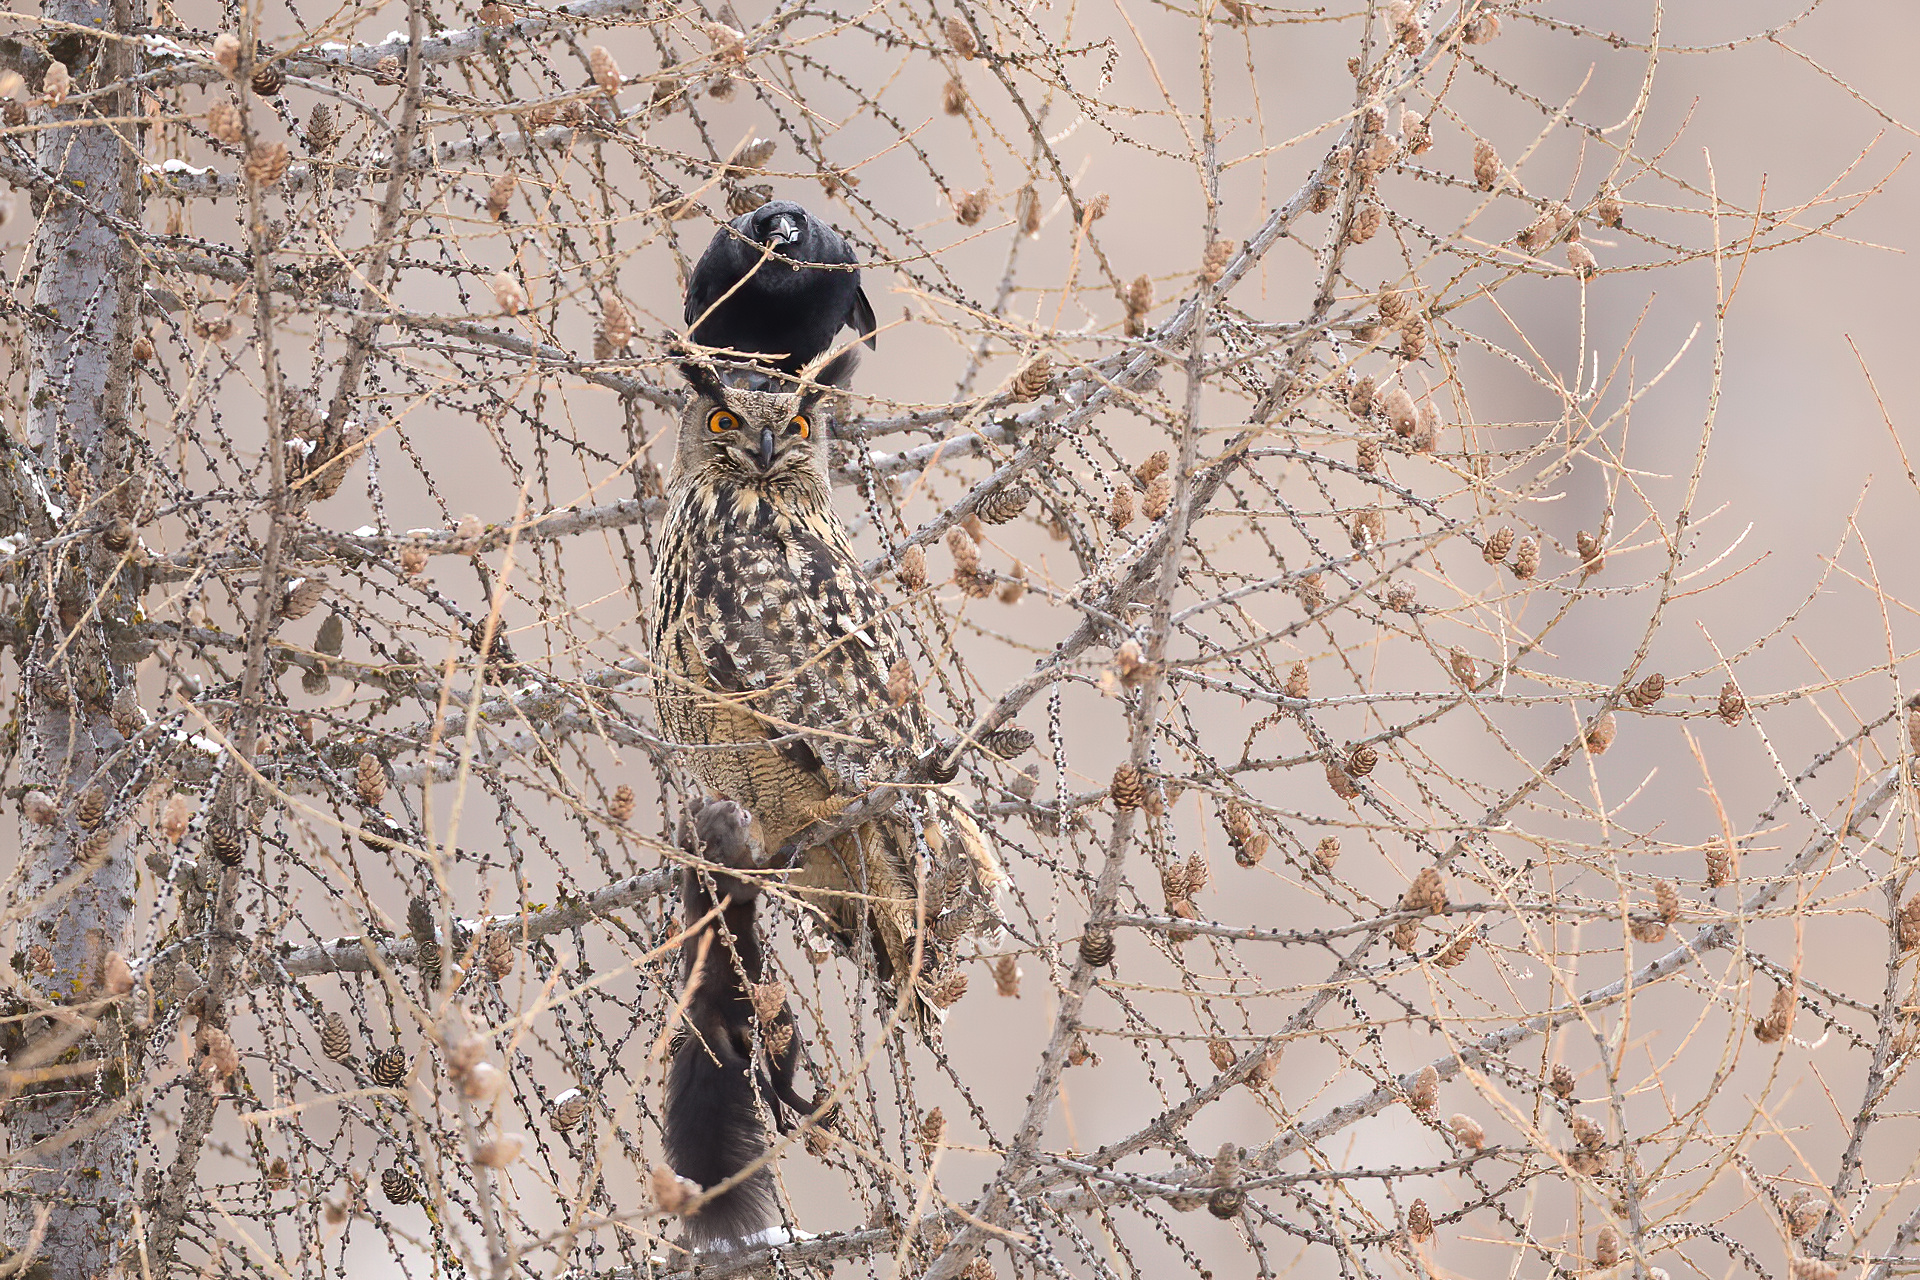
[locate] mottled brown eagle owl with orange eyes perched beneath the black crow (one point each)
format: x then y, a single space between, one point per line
773 669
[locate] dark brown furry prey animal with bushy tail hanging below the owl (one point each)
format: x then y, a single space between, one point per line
713 1129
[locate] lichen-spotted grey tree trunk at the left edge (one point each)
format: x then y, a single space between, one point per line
74 1145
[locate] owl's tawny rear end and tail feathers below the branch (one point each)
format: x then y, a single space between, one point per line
867 888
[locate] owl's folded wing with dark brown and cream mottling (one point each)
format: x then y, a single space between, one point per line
809 646
